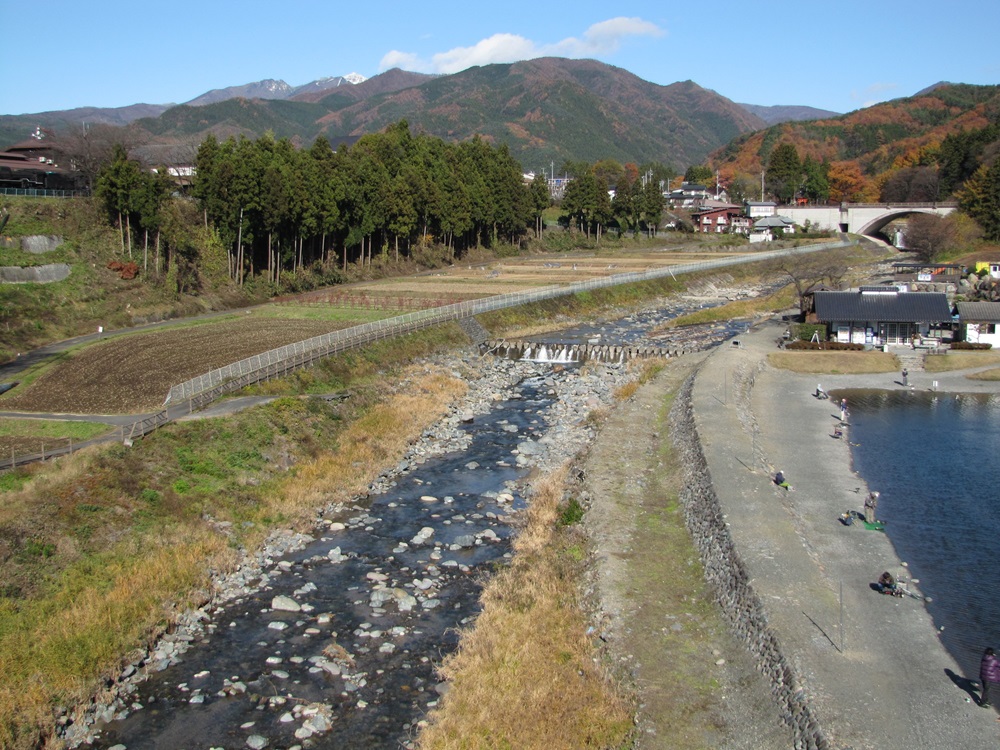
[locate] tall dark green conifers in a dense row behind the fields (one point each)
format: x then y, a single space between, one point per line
274 207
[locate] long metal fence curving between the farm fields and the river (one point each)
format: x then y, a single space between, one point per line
198 392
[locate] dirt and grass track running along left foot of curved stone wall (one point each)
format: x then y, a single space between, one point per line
695 684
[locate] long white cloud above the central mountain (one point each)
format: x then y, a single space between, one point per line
603 38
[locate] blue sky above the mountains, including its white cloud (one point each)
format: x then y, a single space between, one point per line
839 56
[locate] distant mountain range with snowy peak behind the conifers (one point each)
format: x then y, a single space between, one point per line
546 110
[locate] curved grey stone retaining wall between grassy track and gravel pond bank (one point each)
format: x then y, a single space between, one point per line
725 571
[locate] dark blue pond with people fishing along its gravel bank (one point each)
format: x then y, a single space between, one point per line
933 456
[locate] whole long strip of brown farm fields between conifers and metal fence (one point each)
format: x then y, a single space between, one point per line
132 373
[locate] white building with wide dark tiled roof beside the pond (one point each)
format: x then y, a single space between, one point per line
883 315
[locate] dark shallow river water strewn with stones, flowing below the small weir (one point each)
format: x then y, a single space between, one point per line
383 593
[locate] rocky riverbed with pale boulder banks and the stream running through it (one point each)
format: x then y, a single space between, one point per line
328 638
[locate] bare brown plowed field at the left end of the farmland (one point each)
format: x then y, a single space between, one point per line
132 374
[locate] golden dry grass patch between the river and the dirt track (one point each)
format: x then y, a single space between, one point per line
525 676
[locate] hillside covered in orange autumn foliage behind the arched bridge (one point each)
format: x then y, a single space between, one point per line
895 149
